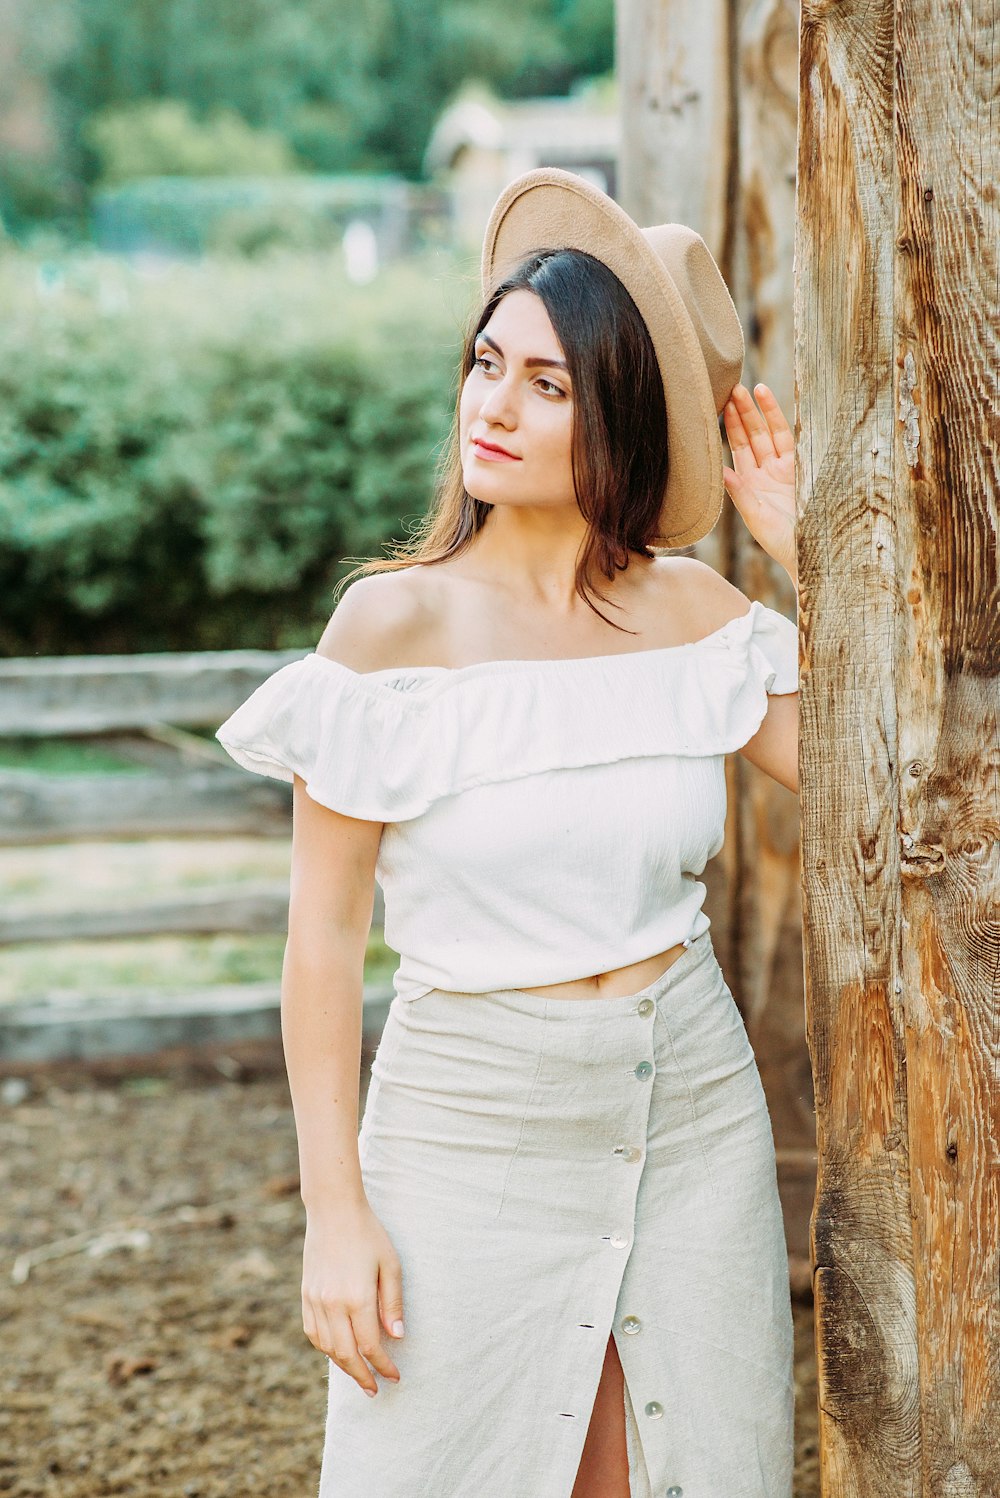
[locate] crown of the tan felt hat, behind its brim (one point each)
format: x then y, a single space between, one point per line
689 263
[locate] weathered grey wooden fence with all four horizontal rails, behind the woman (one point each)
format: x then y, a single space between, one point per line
143 709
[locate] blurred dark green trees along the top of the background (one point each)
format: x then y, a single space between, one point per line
347 85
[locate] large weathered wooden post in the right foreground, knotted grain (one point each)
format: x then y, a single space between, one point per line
897 314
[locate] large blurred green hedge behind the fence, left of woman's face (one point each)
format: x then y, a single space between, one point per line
188 461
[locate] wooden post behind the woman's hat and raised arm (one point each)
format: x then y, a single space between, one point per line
709 97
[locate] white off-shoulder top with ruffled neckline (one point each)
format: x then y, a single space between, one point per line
544 820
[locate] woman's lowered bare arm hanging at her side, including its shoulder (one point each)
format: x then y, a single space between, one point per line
353 1279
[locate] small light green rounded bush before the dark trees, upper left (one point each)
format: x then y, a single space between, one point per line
155 137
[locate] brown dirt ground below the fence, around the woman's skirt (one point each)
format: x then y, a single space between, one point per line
150 1320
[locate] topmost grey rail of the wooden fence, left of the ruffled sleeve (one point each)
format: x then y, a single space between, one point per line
94 694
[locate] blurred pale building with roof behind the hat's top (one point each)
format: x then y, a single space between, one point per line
483 143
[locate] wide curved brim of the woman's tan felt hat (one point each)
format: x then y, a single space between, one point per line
550 209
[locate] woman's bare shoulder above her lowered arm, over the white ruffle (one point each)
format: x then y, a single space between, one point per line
382 621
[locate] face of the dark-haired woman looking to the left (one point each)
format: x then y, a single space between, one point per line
516 416
